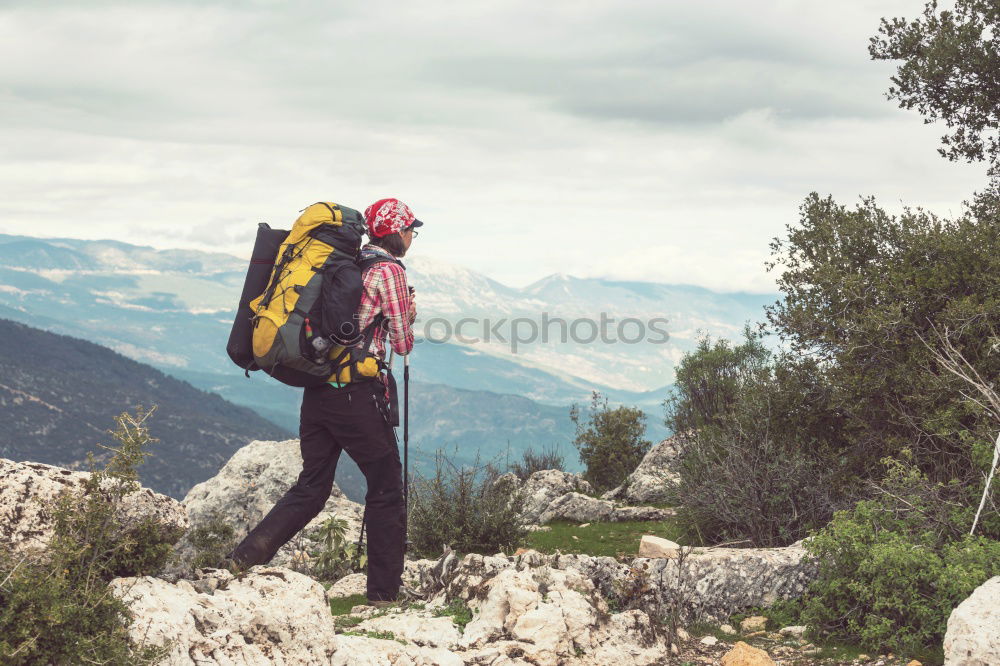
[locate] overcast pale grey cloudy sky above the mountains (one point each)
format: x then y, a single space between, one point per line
658 141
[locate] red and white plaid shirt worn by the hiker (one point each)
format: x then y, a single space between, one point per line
385 290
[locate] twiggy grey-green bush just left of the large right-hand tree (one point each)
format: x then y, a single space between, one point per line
760 463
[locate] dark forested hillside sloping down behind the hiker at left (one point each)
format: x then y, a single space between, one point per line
59 396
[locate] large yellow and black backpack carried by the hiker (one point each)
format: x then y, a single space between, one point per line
281 312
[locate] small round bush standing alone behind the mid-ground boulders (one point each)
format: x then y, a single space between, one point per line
609 441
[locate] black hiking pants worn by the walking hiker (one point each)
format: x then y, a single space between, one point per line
354 419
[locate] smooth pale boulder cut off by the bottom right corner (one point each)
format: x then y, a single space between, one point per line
973 634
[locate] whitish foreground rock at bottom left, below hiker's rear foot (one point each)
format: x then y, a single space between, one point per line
272 615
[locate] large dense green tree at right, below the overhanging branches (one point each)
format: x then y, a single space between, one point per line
862 289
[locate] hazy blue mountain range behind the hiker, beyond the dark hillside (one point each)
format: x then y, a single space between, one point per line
172 309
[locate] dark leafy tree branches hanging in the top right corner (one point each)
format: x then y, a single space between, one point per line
950 71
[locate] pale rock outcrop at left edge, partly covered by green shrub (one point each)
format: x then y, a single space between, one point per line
28 492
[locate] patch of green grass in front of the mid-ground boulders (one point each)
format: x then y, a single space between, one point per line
609 539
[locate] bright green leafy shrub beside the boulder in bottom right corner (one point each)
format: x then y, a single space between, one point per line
893 567
